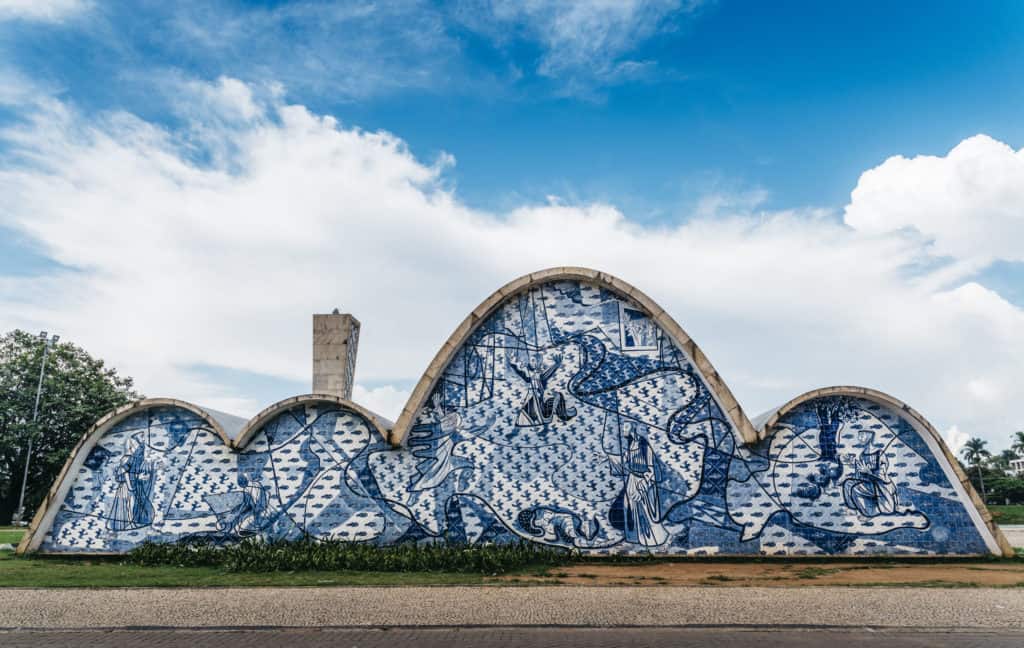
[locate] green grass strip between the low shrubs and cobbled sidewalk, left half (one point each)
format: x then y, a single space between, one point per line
69 573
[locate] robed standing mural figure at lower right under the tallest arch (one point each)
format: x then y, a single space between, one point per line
637 511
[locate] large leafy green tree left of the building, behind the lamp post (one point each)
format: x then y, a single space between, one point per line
78 390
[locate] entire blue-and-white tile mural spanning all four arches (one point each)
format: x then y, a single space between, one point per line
569 417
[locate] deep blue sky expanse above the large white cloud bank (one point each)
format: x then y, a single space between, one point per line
795 100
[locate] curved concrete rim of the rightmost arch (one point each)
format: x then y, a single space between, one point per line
921 423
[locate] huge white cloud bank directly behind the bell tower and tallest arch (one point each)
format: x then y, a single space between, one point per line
221 264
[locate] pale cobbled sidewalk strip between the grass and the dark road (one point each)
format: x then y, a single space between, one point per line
815 607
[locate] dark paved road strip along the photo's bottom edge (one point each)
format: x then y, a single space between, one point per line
517 638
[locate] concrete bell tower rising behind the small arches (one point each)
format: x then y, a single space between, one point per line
336 342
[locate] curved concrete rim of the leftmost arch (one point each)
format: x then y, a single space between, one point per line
44 520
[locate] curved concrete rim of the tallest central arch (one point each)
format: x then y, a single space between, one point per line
425 386
